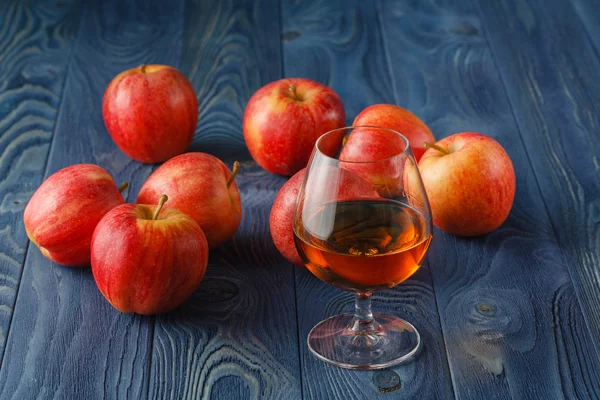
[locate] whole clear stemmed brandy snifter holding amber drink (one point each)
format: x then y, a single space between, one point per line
362 227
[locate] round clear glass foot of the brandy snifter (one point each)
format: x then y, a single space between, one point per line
335 341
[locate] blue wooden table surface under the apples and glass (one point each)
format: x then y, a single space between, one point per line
510 315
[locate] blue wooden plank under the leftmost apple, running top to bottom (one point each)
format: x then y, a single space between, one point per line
66 341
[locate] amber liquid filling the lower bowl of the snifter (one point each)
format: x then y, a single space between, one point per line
363 246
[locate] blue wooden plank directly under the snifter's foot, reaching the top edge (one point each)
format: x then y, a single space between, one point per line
339 43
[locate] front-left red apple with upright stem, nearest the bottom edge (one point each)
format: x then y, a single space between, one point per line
147 260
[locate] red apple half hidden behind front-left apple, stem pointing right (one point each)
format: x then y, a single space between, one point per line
201 186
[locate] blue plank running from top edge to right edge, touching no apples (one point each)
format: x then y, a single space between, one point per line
555 97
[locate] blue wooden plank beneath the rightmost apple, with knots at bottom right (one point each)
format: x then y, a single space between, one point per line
512 324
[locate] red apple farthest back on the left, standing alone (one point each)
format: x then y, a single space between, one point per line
151 112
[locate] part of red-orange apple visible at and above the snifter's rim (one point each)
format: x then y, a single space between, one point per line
377 146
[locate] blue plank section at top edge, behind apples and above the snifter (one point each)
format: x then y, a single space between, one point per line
320 42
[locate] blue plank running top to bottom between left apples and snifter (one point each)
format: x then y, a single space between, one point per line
237 337
